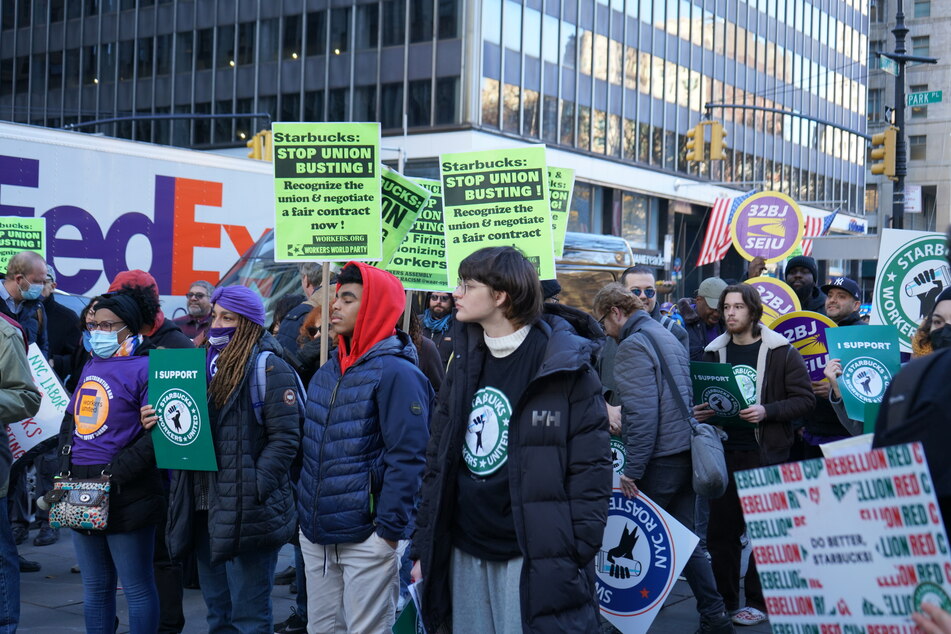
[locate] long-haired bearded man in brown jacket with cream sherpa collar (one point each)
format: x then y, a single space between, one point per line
777 392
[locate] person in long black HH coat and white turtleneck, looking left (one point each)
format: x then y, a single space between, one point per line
509 545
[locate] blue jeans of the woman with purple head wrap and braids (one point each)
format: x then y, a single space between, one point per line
238 591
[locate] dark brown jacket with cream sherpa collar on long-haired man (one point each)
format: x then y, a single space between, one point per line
782 387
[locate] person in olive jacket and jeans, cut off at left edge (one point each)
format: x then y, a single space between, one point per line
19 399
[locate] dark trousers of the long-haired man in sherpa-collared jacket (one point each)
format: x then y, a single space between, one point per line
723 538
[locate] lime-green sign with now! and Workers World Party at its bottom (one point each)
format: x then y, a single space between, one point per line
327 191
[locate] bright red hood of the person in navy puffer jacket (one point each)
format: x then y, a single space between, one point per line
381 305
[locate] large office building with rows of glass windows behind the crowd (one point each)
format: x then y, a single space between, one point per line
610 86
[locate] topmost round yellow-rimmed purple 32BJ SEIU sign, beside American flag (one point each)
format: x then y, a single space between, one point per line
769 225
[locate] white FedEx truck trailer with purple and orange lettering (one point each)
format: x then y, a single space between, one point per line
112 205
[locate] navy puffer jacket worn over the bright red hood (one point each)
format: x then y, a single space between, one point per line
365 437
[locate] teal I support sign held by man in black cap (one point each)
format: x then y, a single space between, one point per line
870 358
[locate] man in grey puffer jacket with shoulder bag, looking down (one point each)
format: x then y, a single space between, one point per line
657 435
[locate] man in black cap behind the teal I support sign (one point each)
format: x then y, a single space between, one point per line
824 424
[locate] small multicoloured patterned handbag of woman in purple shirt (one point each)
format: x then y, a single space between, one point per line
79 503
